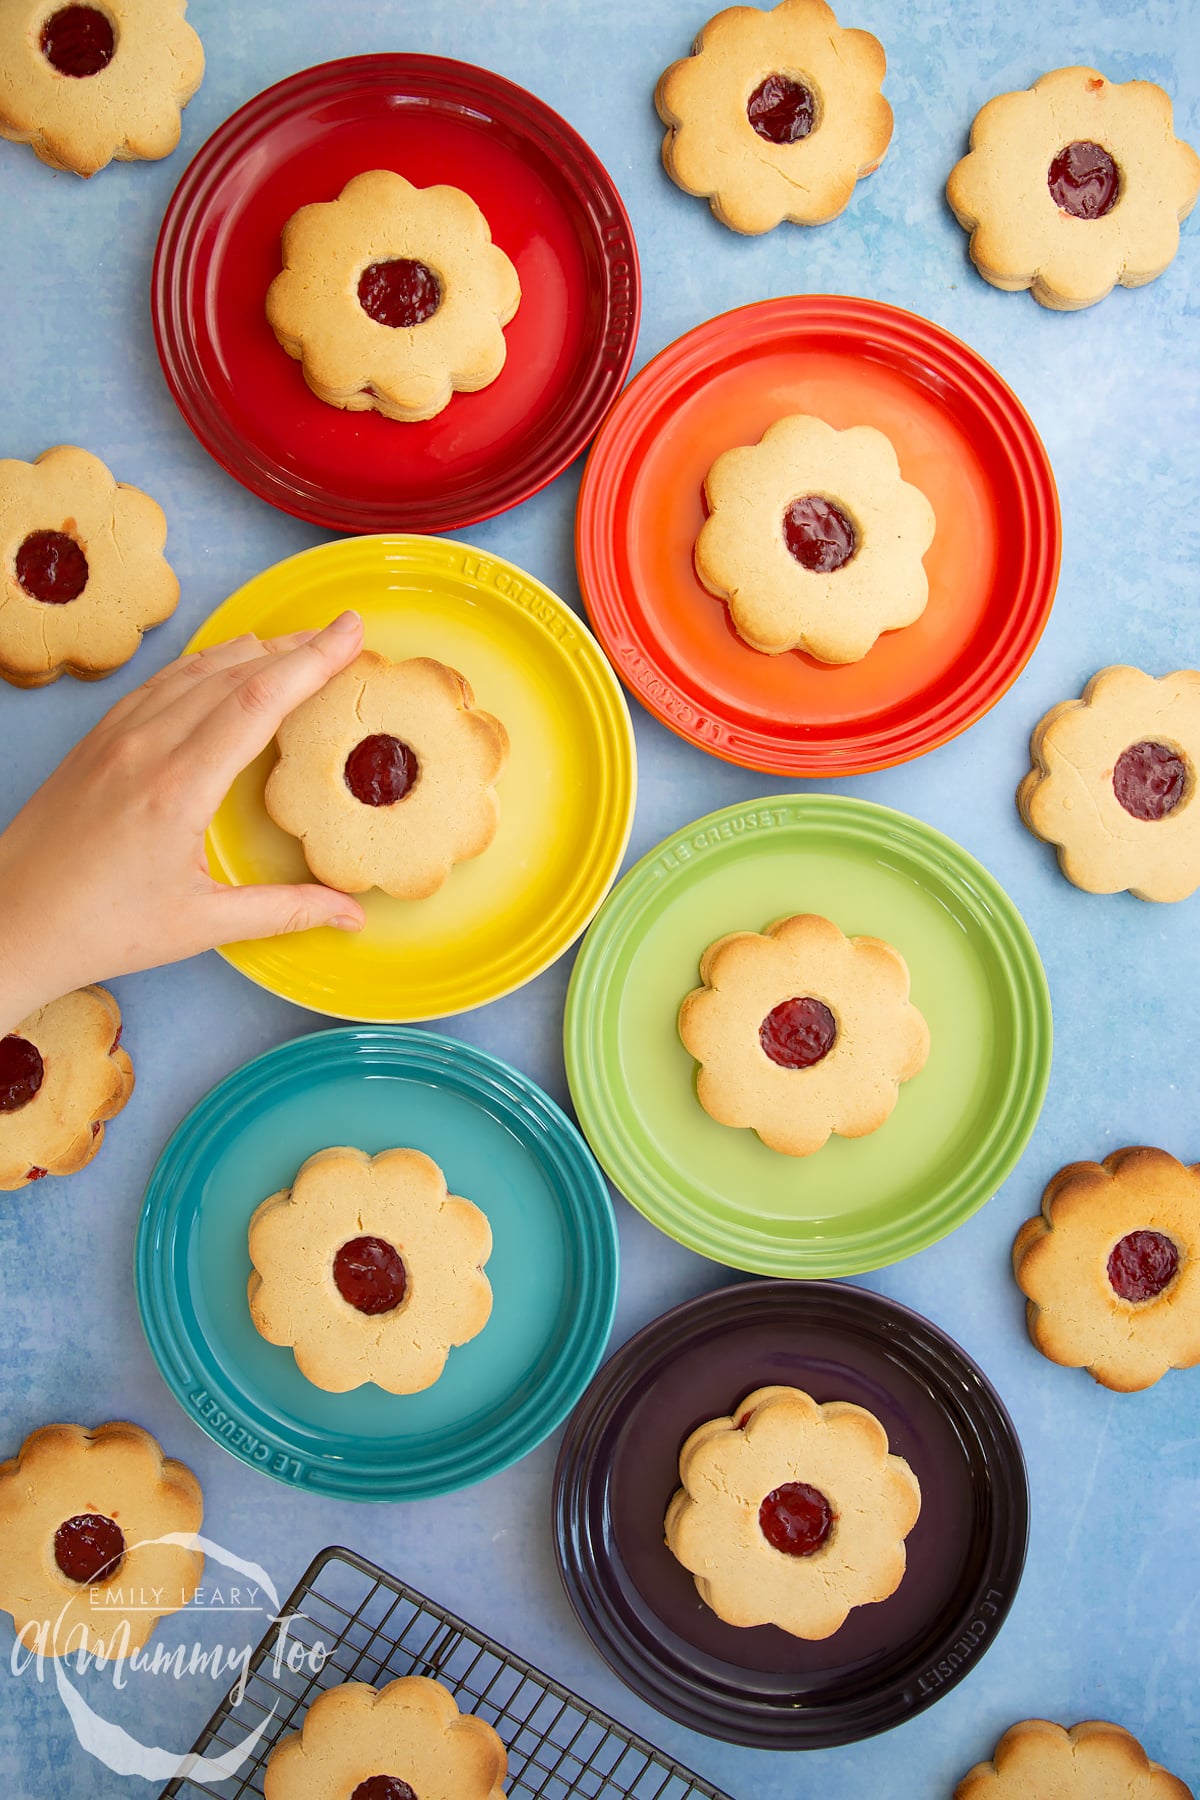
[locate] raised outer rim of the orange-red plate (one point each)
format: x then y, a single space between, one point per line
654 683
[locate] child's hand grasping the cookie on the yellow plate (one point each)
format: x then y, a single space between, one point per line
103 872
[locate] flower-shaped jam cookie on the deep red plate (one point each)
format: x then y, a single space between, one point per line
393 298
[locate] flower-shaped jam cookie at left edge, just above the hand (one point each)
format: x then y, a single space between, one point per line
82 568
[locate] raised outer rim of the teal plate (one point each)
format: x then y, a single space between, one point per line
415 1052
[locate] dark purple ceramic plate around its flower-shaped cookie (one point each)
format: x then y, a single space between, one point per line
618 1470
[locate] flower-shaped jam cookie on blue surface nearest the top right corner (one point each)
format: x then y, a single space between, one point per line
1073 186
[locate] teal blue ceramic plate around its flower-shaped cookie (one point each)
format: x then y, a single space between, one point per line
501 1142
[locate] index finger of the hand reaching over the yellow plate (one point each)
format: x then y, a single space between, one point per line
246 721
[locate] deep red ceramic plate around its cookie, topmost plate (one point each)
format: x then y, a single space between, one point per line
550 206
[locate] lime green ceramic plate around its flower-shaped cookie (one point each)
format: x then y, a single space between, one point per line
958 1128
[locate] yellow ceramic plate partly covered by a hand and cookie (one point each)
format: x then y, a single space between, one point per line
566 796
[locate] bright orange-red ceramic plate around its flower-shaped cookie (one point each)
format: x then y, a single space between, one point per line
962 436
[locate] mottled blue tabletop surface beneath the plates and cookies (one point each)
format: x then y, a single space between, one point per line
1109 1615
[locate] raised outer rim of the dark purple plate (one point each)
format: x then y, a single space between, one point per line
771 1723
